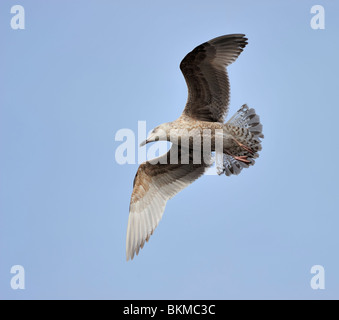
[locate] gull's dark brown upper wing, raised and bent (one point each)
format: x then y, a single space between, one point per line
205 73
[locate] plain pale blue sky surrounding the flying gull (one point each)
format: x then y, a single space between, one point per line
82 70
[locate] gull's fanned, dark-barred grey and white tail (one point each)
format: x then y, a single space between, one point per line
246 132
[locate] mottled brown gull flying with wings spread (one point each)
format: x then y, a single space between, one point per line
160 179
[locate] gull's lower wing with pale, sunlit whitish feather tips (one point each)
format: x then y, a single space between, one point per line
154 184
